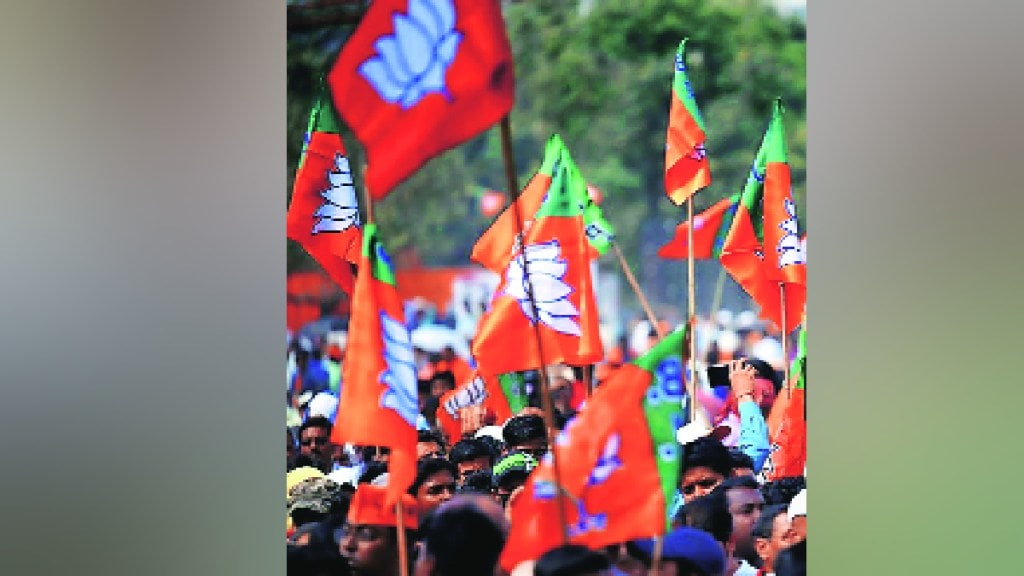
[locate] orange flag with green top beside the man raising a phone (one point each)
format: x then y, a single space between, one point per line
788 423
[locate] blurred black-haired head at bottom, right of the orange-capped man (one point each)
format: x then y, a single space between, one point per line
463 541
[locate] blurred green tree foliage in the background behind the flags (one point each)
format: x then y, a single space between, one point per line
600 73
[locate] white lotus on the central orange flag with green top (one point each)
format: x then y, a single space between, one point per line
551 295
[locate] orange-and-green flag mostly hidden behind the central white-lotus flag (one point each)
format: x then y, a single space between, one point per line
494 249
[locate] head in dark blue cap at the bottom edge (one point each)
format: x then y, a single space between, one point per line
686 552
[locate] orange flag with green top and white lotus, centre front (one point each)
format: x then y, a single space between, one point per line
556 253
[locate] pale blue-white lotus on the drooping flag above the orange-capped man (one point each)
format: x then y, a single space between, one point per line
400 378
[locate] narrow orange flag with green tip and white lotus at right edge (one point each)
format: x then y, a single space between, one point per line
785 258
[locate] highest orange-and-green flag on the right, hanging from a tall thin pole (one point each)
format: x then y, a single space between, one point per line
687 167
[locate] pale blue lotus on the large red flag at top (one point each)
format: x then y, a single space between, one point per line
412 64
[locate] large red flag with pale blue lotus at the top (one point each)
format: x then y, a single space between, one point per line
419 77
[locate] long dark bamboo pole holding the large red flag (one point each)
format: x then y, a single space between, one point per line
547 406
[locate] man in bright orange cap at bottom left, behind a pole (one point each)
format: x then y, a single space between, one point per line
370 539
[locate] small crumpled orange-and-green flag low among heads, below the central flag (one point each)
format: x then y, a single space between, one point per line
503 396
